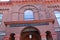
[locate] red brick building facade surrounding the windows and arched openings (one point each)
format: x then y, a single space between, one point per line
13 13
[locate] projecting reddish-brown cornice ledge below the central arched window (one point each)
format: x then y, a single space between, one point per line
32 21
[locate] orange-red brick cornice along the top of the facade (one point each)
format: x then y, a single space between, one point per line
29 2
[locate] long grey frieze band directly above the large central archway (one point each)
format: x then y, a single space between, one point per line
36 24
